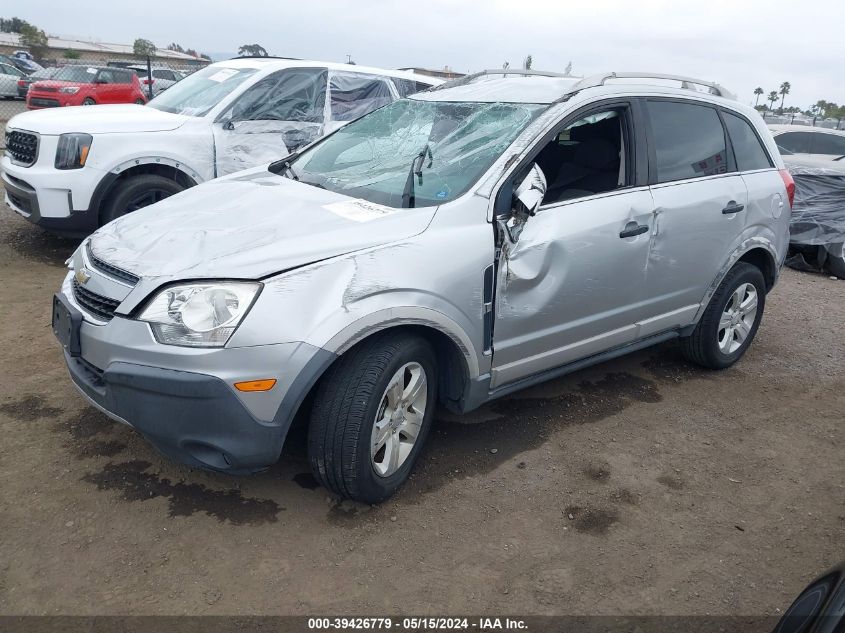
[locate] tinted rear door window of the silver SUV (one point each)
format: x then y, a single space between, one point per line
689 140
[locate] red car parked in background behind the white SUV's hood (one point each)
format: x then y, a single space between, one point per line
86 85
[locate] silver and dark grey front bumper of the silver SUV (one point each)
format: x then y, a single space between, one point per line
182 400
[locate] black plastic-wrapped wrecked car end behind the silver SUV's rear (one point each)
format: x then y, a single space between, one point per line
817 231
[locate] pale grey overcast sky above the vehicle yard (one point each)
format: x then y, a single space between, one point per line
742 44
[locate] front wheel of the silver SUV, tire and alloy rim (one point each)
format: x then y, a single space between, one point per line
371 415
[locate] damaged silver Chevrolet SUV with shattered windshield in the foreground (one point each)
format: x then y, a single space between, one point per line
446 249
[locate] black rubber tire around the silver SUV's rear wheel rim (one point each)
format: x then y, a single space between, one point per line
702 346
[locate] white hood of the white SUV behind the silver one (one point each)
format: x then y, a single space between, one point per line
102 119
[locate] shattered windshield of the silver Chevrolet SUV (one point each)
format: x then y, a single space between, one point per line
427 151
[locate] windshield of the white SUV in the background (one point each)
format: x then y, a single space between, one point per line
199 93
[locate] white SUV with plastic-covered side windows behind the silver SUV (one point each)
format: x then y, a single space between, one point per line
71 170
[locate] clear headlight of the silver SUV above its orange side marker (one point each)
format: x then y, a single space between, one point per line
200 314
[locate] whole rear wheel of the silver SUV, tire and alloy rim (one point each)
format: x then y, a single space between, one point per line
730 320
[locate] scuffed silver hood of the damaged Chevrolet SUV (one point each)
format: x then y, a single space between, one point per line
248 226
